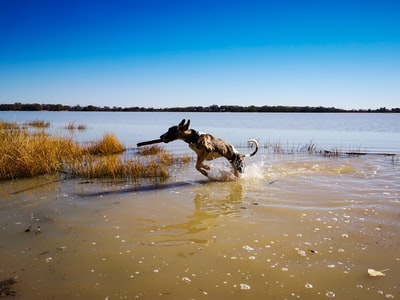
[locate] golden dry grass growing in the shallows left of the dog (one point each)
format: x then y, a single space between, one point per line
29 153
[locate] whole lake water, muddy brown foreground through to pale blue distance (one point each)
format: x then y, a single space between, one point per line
295 226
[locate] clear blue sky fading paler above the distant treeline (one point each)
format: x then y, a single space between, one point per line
151 53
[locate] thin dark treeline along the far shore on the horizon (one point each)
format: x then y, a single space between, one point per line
213 108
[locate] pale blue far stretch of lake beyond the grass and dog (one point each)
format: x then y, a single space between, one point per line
345 131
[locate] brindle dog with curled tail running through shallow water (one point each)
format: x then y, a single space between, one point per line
207 147
